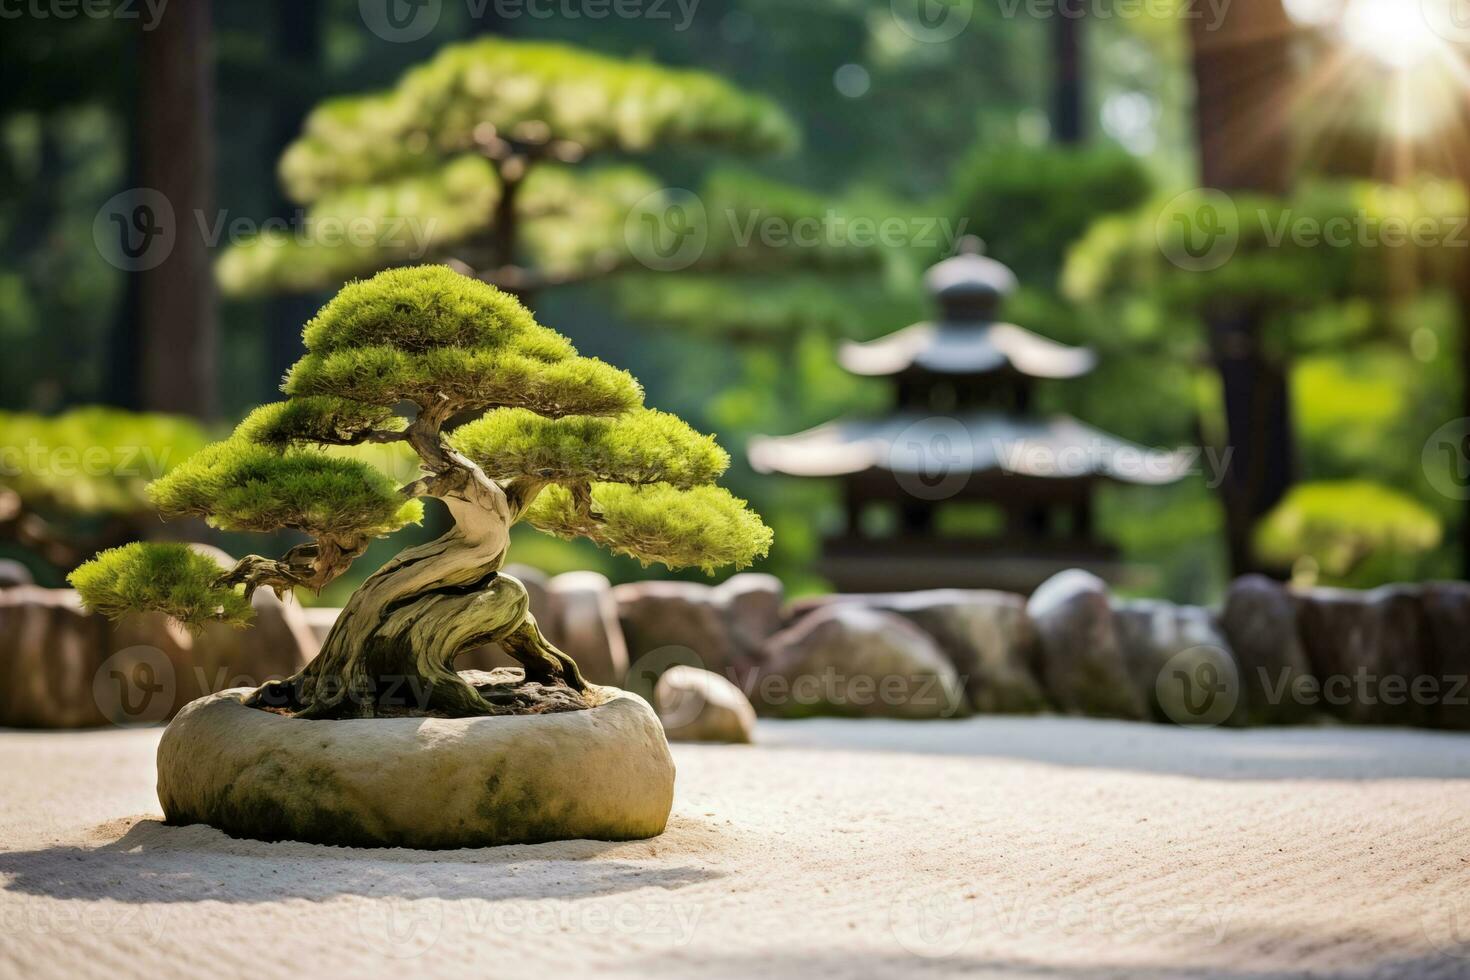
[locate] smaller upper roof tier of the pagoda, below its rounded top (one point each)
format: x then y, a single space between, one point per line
967 349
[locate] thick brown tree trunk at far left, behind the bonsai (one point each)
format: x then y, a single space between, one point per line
177 298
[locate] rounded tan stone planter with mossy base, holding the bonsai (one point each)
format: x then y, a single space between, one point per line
602 774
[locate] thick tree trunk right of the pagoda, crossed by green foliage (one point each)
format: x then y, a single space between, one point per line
1243 77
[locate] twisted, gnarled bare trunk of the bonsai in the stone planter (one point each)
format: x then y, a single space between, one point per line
393 649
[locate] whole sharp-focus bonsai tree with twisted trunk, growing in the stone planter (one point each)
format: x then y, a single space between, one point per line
565 444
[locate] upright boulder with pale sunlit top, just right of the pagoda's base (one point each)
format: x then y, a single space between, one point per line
1083 663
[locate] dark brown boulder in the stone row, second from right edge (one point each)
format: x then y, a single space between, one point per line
1368 655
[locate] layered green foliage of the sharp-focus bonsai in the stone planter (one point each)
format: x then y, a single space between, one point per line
633 480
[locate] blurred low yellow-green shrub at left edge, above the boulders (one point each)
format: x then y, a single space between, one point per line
74 484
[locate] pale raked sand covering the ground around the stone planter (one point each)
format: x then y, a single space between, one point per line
993 849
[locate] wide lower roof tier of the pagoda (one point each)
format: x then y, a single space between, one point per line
1044 449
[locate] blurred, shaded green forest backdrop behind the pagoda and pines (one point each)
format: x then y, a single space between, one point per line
1055 139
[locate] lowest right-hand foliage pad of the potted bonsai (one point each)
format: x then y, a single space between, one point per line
705 528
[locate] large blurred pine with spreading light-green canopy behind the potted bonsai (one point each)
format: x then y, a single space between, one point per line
478 159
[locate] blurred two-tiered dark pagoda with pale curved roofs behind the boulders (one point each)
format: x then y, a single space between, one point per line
964 436
